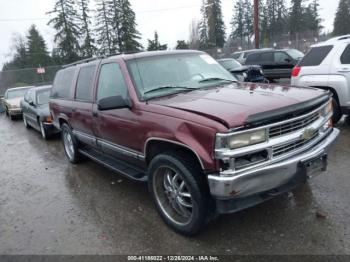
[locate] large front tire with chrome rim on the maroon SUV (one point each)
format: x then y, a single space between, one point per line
183 201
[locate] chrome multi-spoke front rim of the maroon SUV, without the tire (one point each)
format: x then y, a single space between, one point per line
173 195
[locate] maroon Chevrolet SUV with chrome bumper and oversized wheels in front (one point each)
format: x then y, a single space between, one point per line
205 143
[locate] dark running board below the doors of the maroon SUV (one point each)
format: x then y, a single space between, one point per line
115 165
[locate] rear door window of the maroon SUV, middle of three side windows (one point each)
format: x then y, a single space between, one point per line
85 83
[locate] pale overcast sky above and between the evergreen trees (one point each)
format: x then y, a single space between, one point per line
170 18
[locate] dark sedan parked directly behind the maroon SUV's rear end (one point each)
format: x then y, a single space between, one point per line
36 112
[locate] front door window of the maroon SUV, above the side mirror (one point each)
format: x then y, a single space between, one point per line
111 82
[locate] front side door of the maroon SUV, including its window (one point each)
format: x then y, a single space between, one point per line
115 129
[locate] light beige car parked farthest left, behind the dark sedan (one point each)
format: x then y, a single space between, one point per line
12 100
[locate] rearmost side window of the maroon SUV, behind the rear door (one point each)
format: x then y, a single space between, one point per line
63 82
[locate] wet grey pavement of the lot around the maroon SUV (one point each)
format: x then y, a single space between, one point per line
48 206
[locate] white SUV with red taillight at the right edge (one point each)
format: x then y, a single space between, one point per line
327 66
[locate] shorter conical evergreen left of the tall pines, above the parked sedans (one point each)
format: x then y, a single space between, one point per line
37 53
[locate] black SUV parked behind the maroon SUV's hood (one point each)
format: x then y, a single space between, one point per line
276 64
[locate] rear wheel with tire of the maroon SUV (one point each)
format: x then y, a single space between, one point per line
70 144
